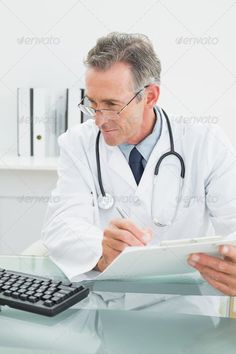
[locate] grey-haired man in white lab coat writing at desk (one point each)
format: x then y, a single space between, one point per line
122 89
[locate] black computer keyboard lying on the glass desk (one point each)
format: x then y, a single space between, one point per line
38 294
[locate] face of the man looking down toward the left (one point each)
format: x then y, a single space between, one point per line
112 89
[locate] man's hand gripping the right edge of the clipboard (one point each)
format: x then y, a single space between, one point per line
220 273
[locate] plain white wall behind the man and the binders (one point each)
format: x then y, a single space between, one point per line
195 41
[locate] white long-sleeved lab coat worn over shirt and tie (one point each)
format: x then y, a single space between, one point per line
74 224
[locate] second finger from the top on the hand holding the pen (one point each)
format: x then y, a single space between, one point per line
122 236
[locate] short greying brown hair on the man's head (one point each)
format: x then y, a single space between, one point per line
134 49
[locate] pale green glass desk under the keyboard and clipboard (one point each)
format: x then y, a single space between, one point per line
167 315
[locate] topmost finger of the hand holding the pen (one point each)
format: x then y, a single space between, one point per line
128 225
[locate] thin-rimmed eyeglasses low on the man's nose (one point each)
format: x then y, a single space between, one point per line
106 113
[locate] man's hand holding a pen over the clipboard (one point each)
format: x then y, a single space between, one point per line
120 234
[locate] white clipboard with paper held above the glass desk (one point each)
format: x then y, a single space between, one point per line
167 259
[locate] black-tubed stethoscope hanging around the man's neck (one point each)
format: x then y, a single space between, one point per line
106 200
